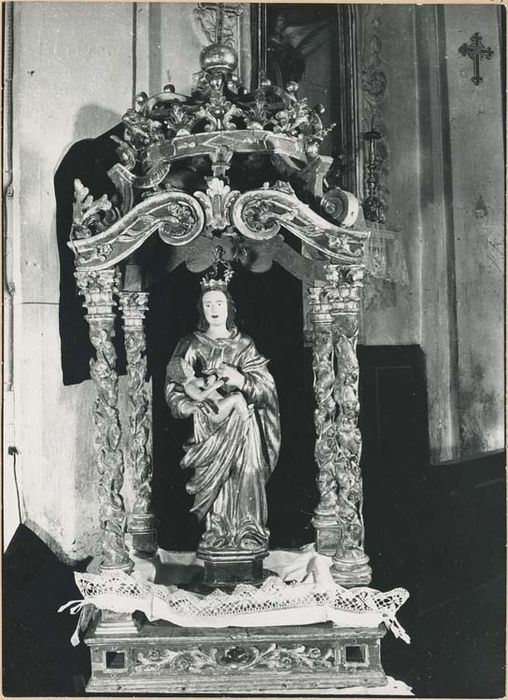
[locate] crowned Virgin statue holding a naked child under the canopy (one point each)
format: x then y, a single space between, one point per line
218 377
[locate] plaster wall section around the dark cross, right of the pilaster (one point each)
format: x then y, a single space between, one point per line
477 167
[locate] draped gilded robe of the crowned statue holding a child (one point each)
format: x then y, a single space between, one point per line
232 460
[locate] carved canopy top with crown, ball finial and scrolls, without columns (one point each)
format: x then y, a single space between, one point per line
169 132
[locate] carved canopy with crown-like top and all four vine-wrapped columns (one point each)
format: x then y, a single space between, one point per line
168 140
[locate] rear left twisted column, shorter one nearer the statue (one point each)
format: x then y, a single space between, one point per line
133 306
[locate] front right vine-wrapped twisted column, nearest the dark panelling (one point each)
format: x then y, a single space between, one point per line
350 563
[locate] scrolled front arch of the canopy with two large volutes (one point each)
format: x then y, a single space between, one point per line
179 218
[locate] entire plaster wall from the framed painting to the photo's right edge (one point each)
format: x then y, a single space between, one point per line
442 181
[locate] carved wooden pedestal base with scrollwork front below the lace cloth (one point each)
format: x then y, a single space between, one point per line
163 658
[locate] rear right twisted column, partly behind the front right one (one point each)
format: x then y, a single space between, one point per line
325 520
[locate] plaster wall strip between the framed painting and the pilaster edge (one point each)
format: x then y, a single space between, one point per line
389 93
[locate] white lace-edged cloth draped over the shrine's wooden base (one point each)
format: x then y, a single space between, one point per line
275 603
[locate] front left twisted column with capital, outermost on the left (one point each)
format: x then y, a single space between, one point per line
97 289
